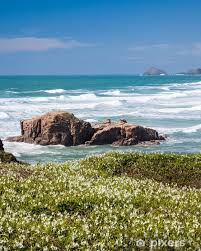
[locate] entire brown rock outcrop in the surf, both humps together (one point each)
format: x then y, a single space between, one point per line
64 128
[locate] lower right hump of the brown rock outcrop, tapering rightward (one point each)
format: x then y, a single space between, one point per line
122 133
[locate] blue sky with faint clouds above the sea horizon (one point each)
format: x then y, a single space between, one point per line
98 36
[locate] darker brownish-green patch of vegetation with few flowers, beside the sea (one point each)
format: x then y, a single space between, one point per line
183 170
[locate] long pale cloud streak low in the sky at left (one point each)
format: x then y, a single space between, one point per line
37 44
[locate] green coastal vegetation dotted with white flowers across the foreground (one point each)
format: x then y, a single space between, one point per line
105 202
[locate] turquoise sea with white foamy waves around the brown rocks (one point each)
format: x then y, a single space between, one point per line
170 104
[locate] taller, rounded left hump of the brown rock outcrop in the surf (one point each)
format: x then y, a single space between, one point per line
54 128
